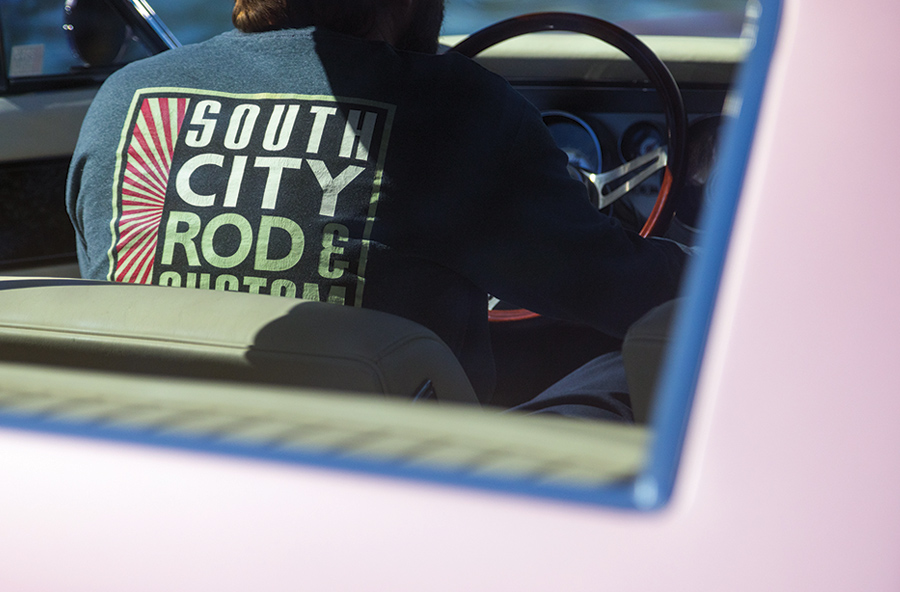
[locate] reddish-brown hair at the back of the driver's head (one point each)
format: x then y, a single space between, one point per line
351 17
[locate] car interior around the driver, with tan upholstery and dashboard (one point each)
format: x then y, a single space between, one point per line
638 116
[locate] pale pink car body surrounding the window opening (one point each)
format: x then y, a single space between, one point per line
787 480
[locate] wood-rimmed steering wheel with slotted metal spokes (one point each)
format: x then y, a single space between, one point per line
674 158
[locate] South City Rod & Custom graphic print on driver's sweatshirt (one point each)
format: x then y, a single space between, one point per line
261 193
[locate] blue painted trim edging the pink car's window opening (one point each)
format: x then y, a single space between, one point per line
653 488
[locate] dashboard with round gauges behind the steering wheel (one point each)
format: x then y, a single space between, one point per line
604 113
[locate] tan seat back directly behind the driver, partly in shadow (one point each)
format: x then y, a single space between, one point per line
223 335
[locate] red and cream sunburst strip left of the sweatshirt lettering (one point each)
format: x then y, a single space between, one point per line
145 178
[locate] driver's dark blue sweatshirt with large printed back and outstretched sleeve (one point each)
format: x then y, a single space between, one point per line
308 163
